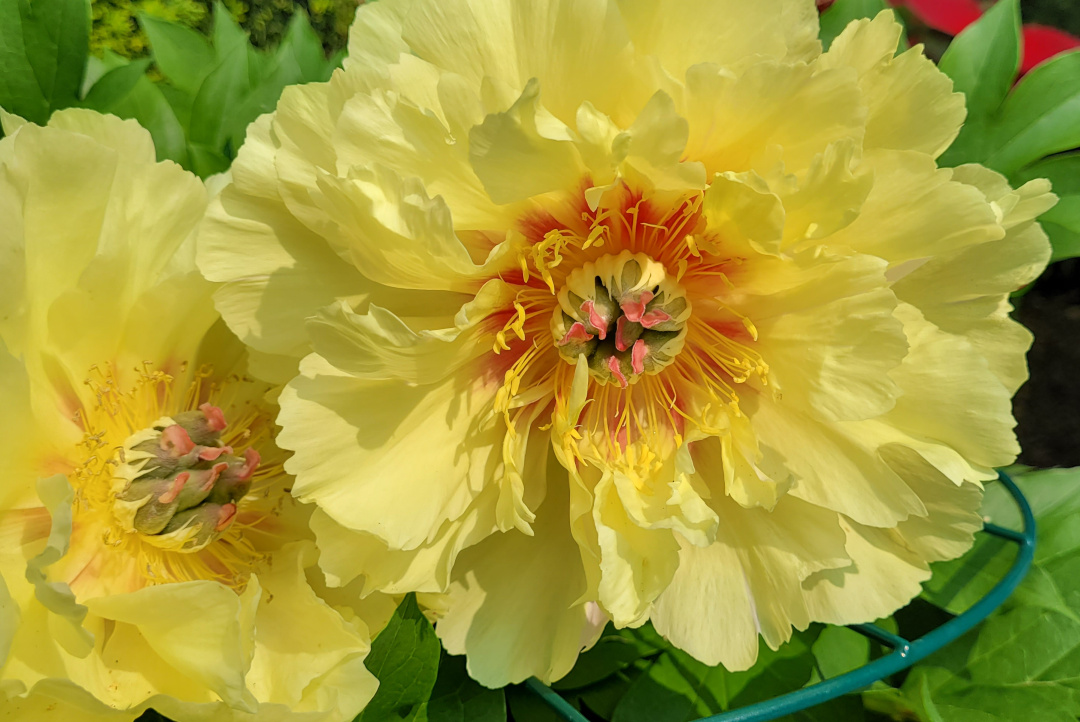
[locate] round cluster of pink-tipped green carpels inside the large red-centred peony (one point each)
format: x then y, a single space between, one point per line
625 315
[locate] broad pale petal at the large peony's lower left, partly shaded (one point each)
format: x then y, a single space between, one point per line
421 445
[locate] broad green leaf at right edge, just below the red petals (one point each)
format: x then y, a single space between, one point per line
1041 117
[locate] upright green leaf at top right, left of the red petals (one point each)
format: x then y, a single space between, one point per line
984 60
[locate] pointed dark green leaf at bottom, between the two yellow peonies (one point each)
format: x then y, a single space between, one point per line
406 660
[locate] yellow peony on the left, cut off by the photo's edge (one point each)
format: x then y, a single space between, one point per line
153 556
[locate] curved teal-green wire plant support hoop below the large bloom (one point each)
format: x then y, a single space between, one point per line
904 652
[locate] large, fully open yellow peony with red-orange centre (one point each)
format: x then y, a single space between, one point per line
630 310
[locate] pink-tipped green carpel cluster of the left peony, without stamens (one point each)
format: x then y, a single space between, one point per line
181 482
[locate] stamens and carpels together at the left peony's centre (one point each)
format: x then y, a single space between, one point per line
171 483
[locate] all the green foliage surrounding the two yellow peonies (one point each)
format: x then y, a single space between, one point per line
197 74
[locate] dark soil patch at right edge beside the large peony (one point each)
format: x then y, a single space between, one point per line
1048 406
